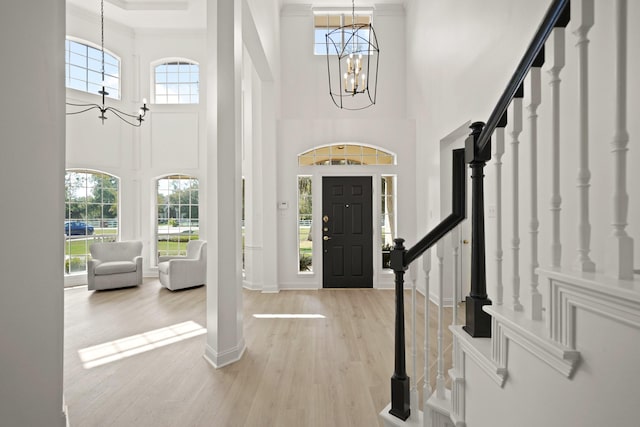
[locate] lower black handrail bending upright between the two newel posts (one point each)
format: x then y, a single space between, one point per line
458 210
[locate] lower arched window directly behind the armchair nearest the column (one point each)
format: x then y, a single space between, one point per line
177 213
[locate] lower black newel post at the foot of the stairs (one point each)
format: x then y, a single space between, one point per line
400 406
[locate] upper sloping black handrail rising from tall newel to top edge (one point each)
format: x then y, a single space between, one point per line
553 15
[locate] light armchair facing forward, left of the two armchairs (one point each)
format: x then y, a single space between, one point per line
114 265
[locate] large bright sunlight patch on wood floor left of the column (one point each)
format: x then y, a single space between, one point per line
112 351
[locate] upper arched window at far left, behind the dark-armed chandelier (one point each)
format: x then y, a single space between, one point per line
83 69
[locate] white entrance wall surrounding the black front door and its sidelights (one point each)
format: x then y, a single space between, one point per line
310 119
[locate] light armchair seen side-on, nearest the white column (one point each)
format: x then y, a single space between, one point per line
179 272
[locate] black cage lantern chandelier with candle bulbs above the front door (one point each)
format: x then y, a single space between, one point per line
352 63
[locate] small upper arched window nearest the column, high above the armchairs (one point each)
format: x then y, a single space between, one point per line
177 83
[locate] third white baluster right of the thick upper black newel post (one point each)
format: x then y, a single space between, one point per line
535 92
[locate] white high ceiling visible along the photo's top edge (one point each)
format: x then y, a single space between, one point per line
178 14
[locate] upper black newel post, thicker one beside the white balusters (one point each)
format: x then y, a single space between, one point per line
478 322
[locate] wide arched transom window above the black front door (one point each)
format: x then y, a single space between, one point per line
346 154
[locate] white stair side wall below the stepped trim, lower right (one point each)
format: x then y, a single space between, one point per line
600 392
